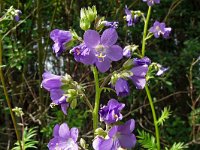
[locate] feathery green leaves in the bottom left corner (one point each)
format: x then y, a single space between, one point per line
28 141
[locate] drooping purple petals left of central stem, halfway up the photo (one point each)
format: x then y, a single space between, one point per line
52 83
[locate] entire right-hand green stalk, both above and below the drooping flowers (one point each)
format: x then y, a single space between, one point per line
146 87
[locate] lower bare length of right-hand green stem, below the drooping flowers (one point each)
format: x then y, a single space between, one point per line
154 117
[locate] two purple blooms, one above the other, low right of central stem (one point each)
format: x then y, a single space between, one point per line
118 136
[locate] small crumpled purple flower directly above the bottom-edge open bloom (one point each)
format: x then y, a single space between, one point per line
111 113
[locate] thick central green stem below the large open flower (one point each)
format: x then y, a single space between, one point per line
97 99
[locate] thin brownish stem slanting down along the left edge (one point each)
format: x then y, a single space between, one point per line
7 97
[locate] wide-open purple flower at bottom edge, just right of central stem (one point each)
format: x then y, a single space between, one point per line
118 137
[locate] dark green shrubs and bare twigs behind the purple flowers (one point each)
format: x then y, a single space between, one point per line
27 53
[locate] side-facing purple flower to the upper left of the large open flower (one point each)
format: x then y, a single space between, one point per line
60 37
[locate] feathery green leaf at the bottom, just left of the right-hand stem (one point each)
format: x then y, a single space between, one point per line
146 140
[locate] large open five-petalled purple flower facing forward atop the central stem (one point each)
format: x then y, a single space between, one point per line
102 49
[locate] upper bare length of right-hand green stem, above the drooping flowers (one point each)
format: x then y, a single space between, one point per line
145 31
